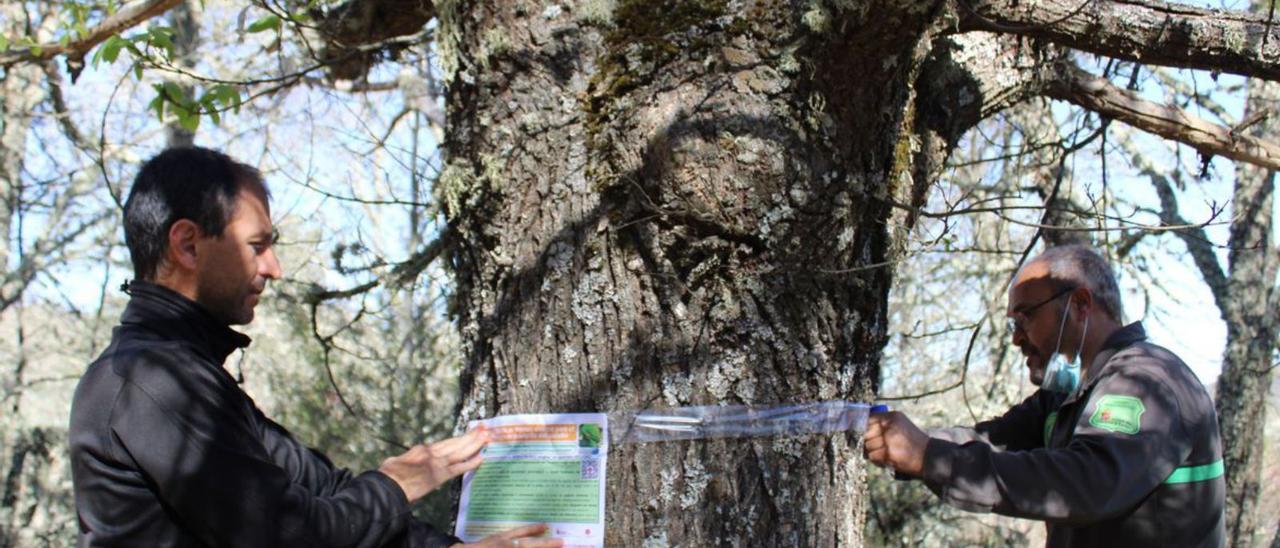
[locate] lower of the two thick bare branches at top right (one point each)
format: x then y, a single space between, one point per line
1080 88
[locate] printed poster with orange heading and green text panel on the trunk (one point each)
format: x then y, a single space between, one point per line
540 469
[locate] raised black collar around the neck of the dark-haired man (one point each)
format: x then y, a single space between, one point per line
170 314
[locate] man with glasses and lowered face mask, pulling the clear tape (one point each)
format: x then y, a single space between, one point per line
1118 447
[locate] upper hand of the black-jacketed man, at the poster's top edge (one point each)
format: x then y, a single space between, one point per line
426 468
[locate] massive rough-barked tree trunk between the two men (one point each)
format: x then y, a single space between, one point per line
682 204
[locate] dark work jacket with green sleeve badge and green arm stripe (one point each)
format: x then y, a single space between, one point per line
1131 459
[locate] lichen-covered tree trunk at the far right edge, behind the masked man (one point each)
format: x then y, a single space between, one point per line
1251 332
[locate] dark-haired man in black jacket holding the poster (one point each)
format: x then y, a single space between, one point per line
166 447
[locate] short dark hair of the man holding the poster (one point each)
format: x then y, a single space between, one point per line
193 184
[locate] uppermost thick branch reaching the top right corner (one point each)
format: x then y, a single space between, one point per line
1145 31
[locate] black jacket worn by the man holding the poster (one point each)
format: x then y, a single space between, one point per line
168 451
